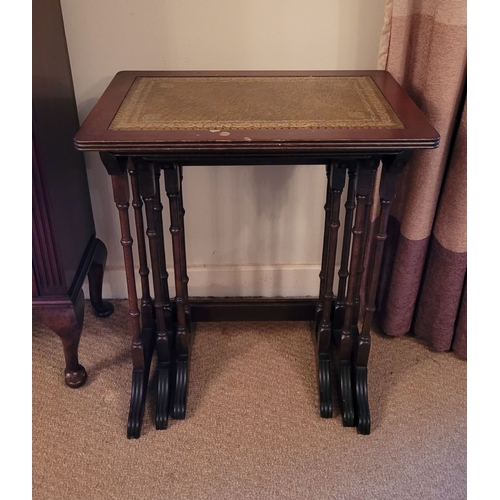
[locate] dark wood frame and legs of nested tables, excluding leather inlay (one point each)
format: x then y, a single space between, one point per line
135 160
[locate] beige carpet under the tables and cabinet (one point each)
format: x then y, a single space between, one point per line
253 429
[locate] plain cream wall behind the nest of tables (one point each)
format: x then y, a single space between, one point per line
251 231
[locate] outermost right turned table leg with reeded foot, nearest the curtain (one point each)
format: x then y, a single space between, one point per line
391 167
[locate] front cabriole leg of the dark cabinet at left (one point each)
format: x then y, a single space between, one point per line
67 321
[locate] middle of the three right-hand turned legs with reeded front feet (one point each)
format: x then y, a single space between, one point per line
363 190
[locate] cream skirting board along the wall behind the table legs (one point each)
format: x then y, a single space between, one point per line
229 281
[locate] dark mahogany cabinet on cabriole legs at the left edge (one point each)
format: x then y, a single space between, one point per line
65 247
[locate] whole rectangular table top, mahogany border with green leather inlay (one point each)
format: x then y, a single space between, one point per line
160 111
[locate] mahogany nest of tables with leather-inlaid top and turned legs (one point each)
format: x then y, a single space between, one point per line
149 123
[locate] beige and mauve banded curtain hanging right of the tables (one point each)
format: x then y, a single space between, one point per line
423 279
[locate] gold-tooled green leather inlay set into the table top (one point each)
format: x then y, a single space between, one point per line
241 103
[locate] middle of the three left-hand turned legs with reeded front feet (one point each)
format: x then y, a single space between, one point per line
164 340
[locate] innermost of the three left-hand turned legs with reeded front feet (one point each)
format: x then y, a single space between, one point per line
182 343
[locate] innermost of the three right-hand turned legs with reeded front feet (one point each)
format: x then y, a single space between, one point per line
323 340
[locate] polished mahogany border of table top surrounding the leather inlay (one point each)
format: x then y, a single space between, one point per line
96 134
